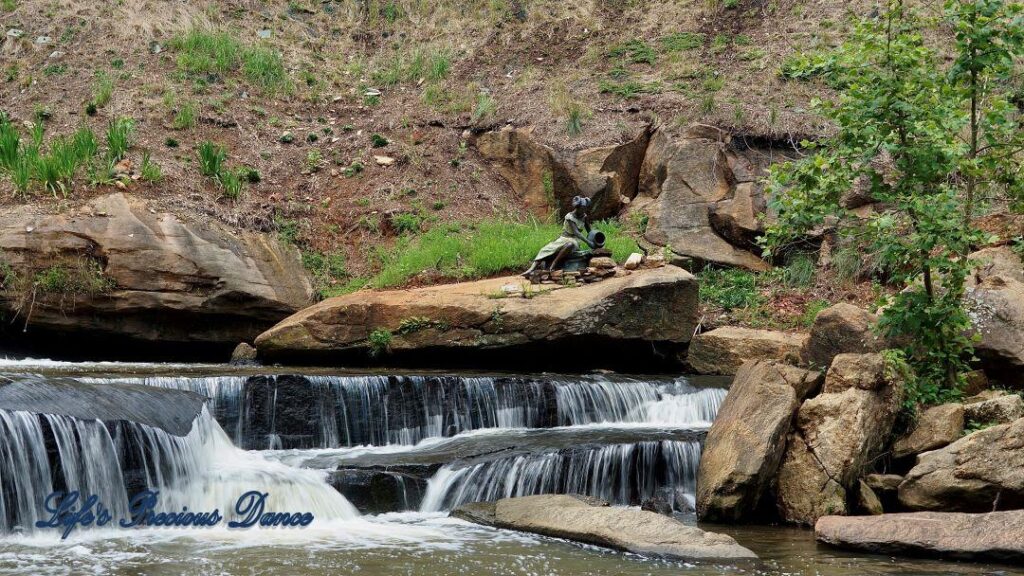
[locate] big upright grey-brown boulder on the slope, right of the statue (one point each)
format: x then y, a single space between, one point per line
684 181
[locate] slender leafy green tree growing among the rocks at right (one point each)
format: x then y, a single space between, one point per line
923 143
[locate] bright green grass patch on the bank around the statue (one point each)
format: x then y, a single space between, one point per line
465 252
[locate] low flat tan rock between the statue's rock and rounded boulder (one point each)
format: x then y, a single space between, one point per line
723 351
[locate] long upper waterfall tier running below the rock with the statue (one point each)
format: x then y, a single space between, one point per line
303 413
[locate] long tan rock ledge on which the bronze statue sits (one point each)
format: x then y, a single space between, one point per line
658 305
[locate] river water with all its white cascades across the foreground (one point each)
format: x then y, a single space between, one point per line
438 440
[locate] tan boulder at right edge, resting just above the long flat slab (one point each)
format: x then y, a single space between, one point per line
979 473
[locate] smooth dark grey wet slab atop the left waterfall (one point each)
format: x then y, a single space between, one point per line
167 409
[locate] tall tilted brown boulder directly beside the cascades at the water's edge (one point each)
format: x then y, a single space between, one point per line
746 444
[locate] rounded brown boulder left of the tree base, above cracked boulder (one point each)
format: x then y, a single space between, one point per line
842 328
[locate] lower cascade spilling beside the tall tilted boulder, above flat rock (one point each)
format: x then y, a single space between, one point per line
622 474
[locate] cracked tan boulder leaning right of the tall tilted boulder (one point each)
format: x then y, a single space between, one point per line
837 434
